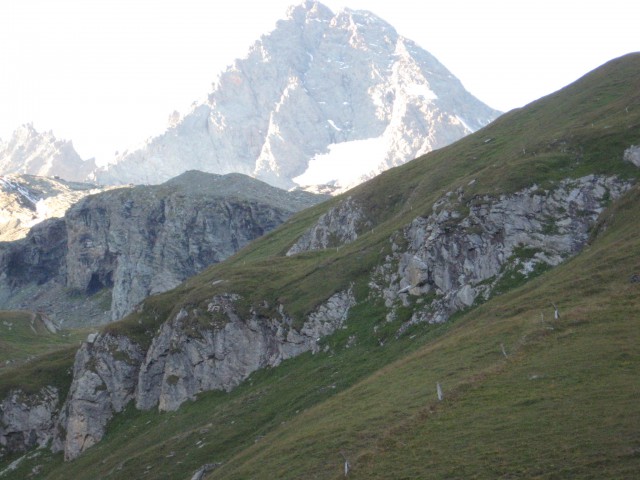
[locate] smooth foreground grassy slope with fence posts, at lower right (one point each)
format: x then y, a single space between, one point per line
562 405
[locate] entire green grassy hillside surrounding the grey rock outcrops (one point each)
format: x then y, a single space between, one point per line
525 395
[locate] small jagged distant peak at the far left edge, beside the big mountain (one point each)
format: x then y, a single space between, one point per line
34 153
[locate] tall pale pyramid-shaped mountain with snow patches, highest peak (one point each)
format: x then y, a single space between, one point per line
323 99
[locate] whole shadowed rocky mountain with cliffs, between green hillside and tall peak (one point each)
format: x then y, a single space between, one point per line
112 250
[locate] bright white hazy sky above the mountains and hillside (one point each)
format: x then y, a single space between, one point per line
107 74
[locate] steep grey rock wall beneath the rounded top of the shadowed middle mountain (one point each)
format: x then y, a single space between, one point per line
146 244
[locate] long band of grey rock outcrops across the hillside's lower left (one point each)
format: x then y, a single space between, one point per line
186 356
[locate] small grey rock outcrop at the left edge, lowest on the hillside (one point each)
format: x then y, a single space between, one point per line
28 420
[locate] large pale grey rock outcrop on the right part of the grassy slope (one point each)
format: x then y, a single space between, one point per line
464 249
